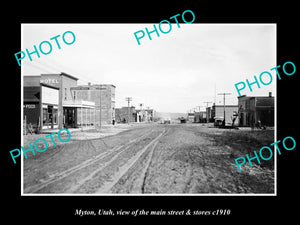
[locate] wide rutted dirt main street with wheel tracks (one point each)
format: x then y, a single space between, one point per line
153 158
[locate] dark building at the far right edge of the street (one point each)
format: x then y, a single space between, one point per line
256 108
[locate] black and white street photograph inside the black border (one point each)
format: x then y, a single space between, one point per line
159 116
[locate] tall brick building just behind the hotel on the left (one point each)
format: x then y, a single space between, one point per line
103 95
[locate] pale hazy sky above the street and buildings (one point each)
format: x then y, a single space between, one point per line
175 72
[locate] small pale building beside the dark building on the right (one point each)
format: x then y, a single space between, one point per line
230 111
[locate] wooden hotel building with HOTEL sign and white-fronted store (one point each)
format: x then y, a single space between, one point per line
49 103
